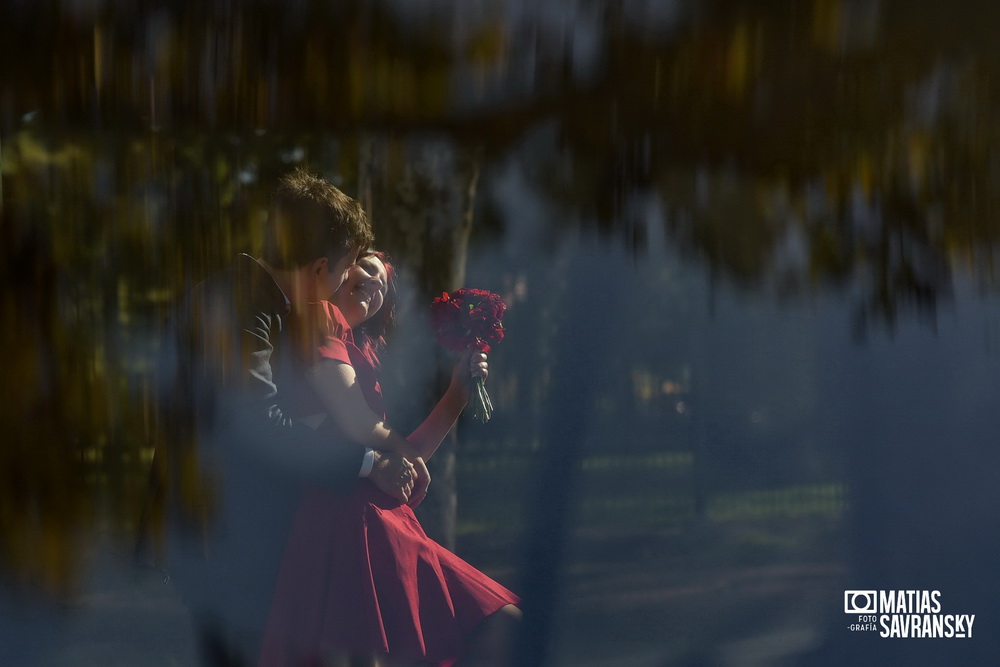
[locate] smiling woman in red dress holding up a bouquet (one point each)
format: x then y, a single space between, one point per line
360 578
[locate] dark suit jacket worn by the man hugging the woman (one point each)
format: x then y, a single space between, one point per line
237 364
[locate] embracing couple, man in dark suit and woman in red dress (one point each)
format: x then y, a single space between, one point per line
312 554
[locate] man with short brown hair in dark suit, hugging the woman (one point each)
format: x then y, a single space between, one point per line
238 368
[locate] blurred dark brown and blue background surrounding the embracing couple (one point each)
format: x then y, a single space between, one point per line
748 249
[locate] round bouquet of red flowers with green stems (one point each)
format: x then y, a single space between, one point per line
470 318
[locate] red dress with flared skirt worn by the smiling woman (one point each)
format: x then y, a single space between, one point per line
359 574
